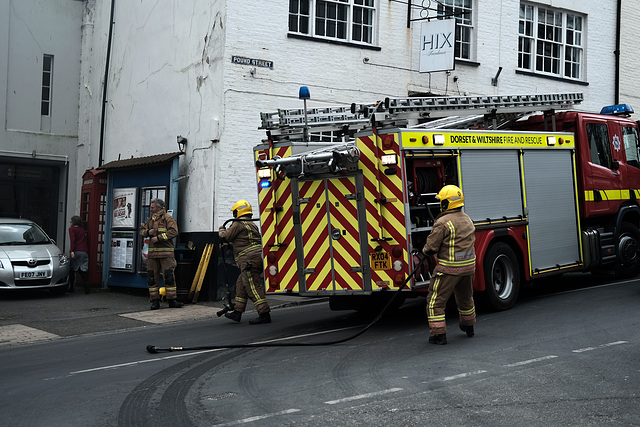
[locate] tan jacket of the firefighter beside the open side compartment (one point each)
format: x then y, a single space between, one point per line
452 239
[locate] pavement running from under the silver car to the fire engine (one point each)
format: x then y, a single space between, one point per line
27 317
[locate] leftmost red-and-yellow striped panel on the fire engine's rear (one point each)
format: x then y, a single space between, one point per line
277 228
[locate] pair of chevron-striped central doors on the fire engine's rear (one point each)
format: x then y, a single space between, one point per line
329 234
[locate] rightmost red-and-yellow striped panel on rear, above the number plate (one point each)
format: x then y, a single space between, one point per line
384 220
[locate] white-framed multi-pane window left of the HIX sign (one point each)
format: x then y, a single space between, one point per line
343 20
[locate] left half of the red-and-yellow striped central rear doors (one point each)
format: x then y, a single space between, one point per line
315 238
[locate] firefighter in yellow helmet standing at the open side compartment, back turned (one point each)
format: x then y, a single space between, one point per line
452 240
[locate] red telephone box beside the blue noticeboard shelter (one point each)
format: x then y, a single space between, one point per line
92 211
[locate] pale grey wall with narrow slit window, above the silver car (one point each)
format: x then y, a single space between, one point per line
29 29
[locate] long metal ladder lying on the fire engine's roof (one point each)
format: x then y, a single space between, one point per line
444 112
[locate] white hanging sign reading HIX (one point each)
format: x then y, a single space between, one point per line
437 41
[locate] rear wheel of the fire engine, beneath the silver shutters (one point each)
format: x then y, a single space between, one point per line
501 277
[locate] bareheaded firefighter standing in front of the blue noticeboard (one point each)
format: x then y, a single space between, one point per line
161 228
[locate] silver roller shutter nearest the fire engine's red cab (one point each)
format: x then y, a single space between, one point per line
553 224
